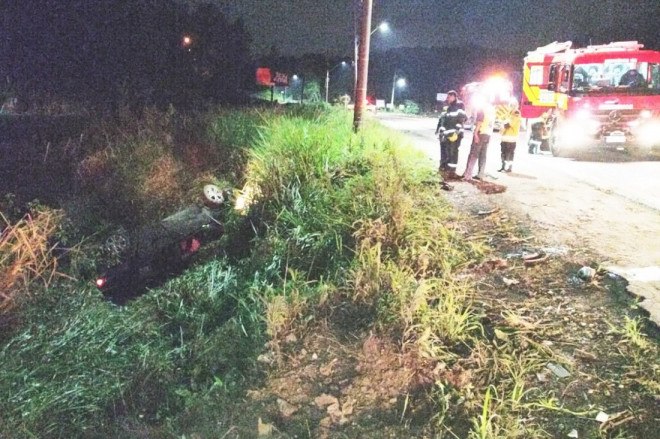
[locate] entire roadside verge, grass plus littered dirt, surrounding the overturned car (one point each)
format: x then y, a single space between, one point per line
346 299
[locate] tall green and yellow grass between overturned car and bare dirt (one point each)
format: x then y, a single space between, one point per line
336 215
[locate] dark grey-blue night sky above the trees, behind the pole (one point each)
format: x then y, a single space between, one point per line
314 26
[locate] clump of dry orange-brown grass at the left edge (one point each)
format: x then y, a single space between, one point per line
26 256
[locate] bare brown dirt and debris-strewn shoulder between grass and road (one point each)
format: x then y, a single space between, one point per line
343 378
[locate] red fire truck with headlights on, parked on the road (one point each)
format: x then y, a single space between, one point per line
605 96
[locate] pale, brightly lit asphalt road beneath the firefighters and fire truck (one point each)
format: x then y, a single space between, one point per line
608 202
